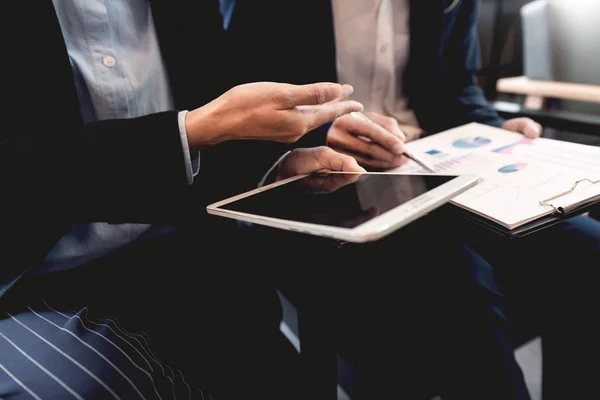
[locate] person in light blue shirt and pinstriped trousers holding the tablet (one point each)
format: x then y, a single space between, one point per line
109 286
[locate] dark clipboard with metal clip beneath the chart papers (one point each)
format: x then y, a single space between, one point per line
560 213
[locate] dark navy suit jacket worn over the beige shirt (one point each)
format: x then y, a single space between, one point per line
293 41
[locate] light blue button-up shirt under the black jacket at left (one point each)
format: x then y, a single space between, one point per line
119 73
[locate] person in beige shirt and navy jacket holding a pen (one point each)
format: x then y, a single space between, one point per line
413 65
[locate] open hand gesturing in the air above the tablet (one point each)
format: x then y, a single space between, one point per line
267 111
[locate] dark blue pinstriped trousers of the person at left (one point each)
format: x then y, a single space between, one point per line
155 321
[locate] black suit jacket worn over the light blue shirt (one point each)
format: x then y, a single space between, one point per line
55 171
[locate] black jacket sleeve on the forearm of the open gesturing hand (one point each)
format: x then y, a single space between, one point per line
110 171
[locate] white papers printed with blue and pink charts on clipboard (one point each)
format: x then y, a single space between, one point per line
516 174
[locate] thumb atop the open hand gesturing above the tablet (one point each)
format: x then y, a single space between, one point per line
316 93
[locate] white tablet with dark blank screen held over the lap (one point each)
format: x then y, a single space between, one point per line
346 206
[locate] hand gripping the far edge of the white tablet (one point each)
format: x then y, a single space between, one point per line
315 159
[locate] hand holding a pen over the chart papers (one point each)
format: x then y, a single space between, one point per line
378 143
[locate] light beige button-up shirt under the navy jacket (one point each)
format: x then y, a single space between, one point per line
372 49
